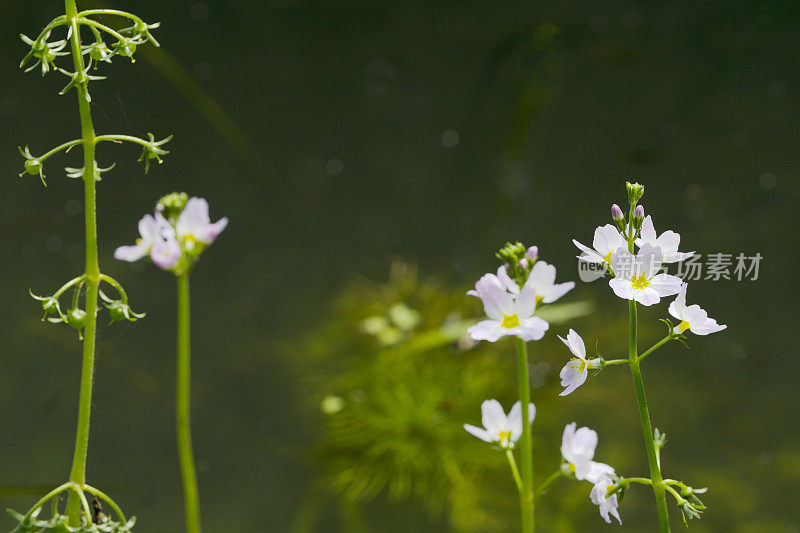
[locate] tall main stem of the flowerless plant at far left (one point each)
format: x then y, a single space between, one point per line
78 473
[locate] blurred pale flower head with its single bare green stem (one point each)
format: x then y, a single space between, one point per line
173 238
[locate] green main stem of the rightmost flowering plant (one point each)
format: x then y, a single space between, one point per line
647 429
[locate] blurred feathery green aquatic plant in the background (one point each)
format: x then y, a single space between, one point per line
393 375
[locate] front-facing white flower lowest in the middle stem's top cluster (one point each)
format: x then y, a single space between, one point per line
510 310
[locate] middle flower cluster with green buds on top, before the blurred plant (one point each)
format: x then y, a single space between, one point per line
510 297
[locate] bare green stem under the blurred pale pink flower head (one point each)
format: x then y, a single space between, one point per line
182 410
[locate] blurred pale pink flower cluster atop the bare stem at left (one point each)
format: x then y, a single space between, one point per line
175 235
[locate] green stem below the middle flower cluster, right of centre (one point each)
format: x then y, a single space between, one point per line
526 445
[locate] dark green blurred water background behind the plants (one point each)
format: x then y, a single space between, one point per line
345 105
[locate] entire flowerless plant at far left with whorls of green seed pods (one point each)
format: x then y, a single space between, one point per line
80 312
